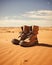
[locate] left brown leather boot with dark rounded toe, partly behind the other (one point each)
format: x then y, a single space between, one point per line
23 35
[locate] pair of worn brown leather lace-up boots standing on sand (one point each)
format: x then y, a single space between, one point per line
28 36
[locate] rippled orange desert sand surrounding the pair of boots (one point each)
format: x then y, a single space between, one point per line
11 54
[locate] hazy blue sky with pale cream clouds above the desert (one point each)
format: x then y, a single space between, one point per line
22 12
